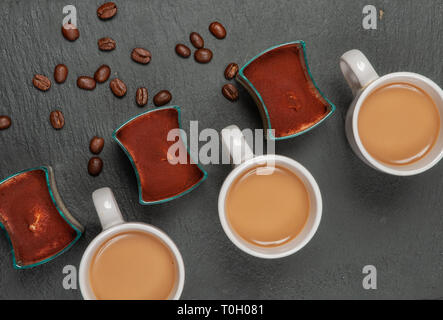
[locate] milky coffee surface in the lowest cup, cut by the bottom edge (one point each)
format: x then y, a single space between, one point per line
133 266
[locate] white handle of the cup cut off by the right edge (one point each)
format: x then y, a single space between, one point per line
357 70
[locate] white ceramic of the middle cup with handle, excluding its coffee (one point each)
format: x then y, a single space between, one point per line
244 160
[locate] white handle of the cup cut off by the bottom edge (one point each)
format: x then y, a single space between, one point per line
107 208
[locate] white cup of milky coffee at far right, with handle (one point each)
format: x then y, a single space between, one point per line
393 124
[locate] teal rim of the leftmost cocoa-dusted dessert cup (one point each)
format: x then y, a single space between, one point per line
77 230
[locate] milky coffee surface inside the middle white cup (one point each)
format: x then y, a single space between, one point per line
270 209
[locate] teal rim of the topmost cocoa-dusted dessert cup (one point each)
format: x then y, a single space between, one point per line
262 103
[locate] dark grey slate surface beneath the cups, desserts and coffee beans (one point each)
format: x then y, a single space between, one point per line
391 222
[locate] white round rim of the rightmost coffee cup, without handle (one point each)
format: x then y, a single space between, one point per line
358 103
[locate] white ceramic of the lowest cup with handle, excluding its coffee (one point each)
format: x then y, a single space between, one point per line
112 223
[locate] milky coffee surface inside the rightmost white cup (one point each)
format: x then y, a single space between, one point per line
398 124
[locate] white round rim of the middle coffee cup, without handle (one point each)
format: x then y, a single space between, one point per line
239 170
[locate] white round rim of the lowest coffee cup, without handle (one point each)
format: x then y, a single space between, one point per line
85 287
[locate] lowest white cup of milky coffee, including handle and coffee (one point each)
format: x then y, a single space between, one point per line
129 261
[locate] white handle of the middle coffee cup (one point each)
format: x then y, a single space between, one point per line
235 143
